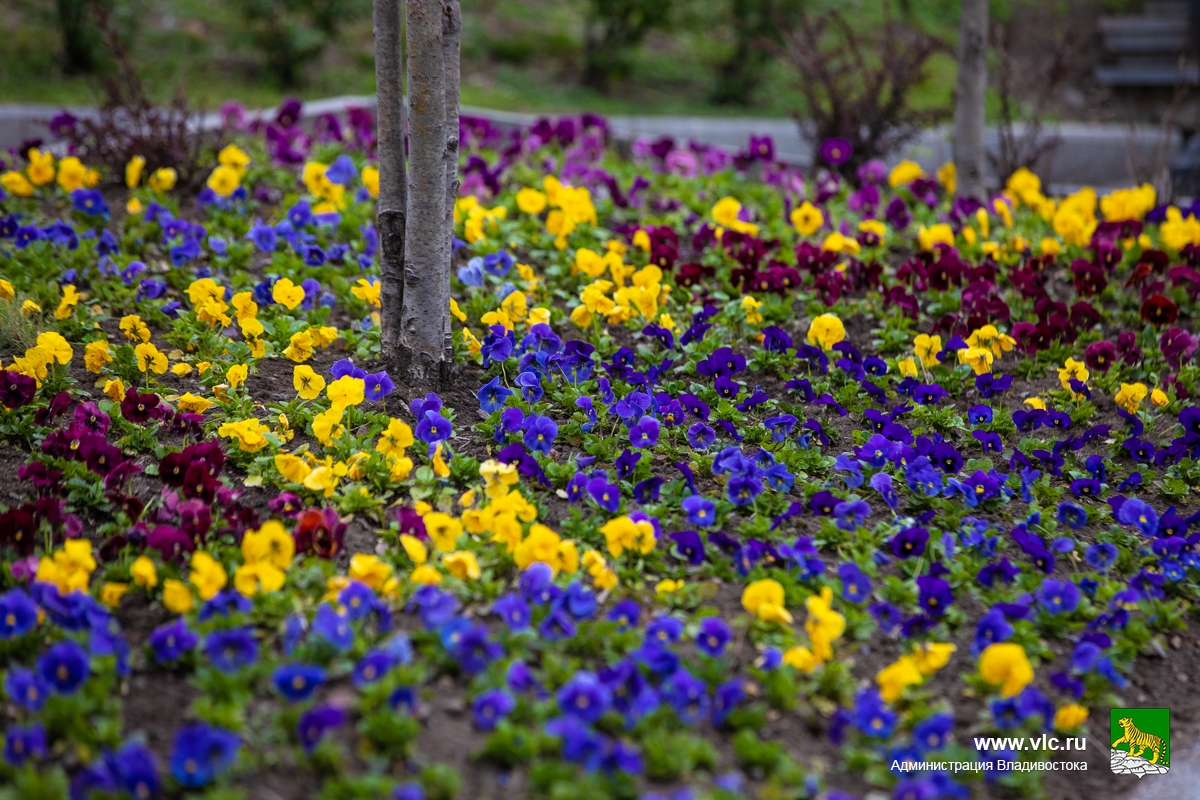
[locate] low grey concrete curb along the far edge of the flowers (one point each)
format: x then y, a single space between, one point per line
1105 157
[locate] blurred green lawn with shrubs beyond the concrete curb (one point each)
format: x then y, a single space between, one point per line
632 57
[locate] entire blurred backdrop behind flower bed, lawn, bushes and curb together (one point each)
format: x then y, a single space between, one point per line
1095 83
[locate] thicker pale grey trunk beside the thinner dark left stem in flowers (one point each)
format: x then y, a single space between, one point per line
423 358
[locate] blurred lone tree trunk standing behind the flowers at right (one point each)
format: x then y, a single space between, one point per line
970 94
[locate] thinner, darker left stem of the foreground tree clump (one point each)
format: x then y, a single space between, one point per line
392 207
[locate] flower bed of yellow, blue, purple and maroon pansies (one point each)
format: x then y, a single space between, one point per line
751 484
